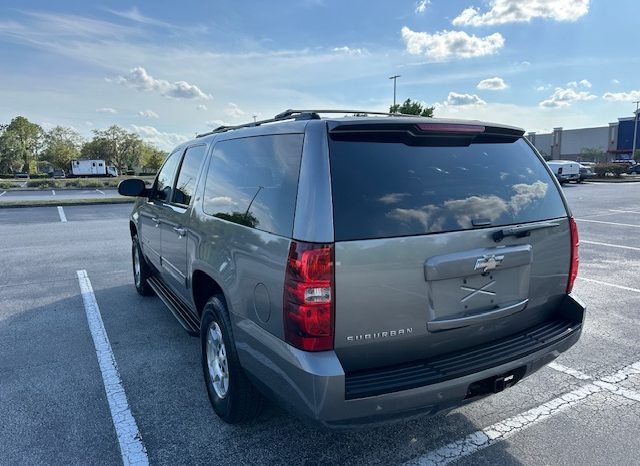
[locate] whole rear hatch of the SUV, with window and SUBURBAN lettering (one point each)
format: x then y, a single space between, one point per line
447 236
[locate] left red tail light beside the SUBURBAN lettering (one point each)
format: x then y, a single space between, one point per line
308 296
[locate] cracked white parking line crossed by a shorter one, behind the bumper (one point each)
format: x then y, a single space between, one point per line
503 430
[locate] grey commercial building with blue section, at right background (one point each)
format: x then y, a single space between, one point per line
614 140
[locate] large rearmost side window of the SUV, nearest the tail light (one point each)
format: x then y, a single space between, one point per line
253 181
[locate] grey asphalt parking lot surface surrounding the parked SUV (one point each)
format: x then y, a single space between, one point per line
54 409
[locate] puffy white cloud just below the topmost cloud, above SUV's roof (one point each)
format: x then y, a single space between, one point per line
450 44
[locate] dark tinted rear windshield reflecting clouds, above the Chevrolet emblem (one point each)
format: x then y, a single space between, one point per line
384 190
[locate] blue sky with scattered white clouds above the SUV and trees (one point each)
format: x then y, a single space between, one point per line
169 70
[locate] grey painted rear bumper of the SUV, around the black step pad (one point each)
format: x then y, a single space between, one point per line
314 385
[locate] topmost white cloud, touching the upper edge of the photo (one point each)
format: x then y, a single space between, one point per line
519 11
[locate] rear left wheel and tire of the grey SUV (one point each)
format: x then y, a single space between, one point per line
234 399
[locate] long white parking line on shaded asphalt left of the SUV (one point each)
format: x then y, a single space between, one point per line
132 450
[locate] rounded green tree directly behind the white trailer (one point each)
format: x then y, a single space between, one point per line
116 145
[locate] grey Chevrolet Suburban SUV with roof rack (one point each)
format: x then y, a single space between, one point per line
359 270
